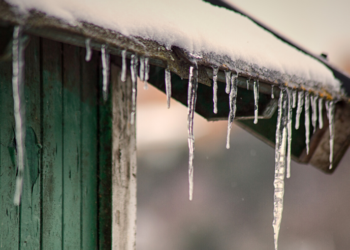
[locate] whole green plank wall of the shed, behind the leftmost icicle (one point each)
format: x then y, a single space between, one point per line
66 201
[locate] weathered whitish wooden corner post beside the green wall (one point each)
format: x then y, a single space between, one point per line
124 165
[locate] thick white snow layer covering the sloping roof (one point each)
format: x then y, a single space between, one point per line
197 27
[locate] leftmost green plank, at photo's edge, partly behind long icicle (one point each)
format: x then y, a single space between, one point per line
9 219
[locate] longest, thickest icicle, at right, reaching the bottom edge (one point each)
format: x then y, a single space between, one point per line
280 160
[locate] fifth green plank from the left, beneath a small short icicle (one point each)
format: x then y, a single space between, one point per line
89 96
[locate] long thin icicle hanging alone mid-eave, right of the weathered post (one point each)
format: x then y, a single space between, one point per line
191 104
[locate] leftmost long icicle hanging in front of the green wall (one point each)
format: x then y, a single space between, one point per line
19 108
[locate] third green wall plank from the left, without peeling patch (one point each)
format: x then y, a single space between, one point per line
52 145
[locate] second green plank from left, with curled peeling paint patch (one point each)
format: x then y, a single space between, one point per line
30 200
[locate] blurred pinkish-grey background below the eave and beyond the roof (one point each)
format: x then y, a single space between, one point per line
233 189
